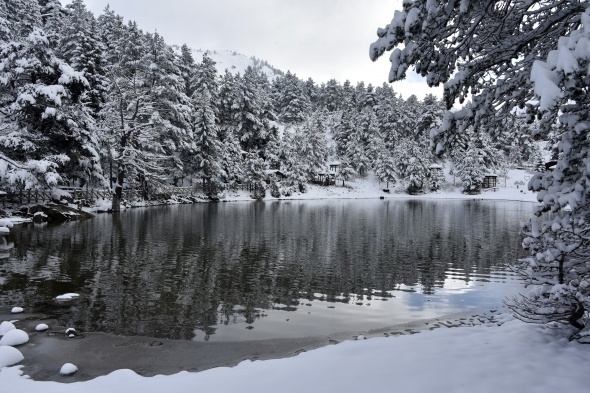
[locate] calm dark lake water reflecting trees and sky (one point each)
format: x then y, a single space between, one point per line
241 271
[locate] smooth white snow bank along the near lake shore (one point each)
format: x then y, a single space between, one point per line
514 357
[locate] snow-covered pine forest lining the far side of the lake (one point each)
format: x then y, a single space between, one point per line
96 101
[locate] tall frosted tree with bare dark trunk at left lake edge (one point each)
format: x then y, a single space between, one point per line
133 142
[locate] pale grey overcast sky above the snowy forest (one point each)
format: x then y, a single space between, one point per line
322 39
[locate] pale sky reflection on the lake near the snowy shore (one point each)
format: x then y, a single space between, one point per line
361 313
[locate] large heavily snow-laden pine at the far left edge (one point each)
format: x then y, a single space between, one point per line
45 125
